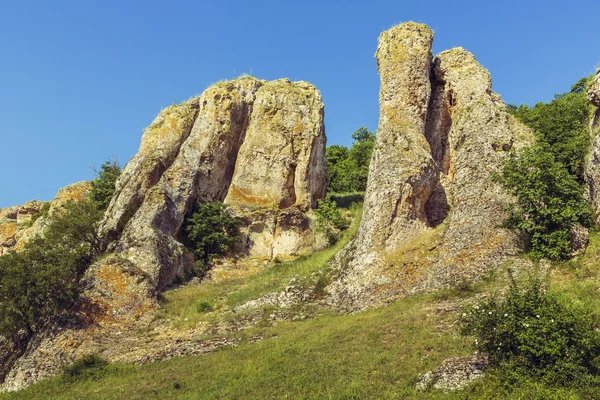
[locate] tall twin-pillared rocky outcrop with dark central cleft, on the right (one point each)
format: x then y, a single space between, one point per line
432 211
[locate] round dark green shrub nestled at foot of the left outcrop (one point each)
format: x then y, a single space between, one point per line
210 231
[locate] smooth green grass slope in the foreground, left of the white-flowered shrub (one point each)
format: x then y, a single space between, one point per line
377 354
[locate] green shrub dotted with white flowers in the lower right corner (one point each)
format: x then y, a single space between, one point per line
536 333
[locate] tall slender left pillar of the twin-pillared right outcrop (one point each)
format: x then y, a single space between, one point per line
402 173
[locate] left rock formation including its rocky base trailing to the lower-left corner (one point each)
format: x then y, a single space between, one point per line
259 146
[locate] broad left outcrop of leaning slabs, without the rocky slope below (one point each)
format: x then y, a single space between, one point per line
254 144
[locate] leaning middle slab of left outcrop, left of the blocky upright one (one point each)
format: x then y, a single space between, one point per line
201 172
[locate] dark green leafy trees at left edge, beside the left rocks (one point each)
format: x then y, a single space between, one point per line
41 282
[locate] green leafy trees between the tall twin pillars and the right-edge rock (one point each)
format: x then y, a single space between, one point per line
548 179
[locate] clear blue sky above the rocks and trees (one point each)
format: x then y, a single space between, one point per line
79 80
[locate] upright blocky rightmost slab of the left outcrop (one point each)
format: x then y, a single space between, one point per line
281 162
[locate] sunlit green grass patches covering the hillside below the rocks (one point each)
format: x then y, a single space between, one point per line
377 354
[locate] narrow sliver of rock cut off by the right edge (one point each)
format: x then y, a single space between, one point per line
593 167
